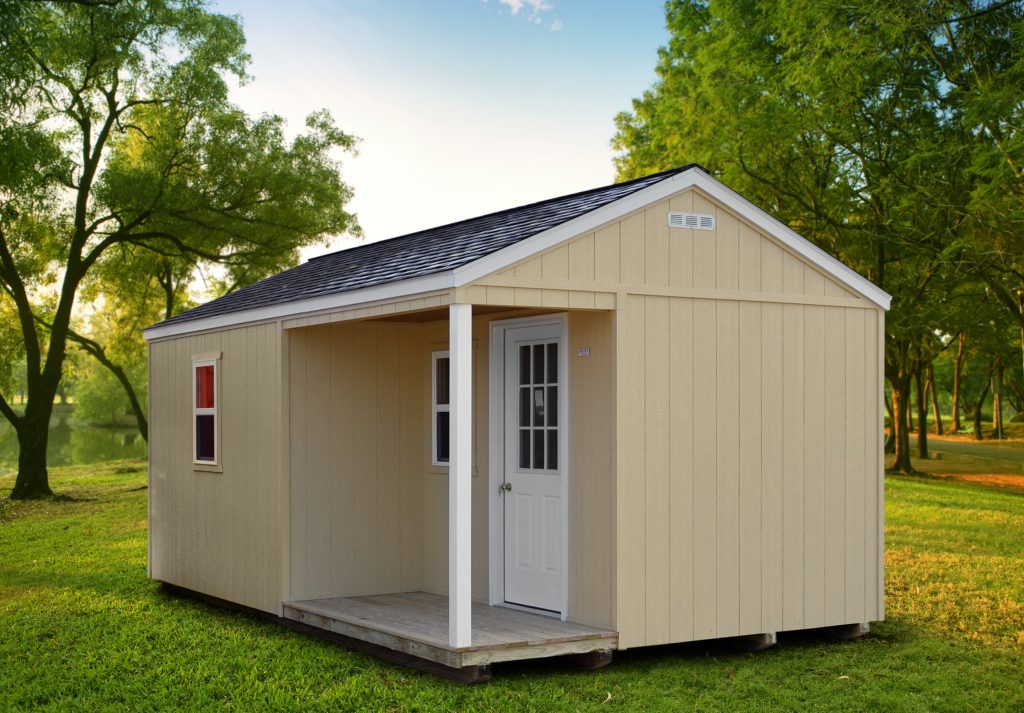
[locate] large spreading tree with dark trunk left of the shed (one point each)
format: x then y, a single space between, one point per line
120 138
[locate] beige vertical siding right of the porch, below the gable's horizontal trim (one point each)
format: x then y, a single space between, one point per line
745 501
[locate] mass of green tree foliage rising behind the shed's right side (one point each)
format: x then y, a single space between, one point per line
864 127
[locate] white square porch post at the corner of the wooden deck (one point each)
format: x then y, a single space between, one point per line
460 471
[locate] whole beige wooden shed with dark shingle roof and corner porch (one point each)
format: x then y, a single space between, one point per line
643 414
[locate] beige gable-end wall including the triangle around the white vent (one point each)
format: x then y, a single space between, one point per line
747 441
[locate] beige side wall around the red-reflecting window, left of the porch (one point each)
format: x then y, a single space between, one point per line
219 533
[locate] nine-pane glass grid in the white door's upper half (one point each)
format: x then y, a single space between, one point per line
538 422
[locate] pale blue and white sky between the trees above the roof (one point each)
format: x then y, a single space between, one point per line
462 107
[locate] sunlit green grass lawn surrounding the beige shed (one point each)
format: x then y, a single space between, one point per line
82 628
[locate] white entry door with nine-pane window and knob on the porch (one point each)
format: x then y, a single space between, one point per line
534 467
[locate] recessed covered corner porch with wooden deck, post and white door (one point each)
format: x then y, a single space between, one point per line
399 546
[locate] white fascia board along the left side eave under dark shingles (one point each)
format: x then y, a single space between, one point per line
396 290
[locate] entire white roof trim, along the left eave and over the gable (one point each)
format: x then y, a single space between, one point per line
495 263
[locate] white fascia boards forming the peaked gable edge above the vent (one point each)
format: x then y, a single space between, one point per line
694 178
